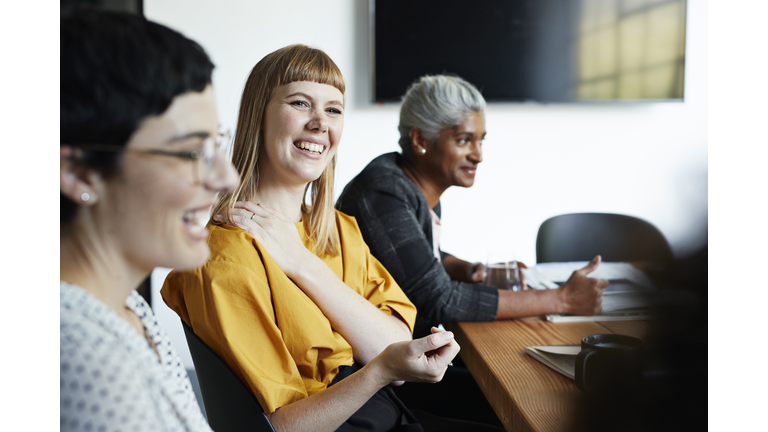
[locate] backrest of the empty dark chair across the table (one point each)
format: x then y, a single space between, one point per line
581 236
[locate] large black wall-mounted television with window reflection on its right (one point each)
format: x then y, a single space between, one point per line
551 51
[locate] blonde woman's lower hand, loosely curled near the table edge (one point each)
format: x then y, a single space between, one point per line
420 360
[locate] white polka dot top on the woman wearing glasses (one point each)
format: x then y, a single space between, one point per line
112 379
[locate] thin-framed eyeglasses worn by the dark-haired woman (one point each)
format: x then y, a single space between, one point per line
203 159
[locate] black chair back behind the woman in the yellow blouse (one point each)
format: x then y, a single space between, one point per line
229 404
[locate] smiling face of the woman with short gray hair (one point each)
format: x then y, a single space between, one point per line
453 158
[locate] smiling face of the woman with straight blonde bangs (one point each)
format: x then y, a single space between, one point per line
302 128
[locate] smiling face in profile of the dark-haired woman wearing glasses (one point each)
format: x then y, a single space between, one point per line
154 209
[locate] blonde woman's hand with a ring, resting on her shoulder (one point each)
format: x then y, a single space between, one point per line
275 232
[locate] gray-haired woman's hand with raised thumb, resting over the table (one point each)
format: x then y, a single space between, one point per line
581 295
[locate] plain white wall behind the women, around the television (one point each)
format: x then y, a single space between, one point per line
645 160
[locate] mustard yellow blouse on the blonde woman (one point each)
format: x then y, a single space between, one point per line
264 326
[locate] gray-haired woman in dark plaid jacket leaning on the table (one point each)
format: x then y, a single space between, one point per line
396 201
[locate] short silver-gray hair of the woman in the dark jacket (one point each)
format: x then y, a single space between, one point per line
434 103
